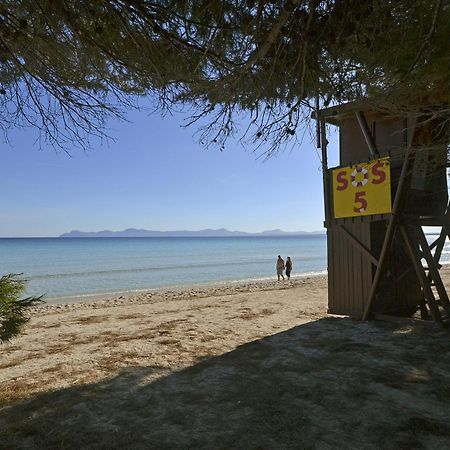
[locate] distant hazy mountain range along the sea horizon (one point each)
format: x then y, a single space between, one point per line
221 232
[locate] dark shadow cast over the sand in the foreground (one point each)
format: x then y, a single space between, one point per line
333 383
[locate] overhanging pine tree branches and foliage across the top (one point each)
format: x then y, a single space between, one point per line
67 64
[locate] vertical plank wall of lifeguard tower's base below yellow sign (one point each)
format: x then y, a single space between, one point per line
349 271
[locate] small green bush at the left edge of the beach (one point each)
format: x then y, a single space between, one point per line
14 312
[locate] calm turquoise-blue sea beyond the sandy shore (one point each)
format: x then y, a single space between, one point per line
76 269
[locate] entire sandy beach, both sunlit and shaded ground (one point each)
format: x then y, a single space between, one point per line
249 366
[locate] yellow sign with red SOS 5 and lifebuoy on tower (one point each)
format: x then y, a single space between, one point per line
363 189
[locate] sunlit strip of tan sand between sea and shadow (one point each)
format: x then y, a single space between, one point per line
87 341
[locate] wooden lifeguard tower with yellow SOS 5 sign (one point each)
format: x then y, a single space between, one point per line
391 181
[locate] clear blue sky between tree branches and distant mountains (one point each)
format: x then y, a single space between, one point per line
156 176
